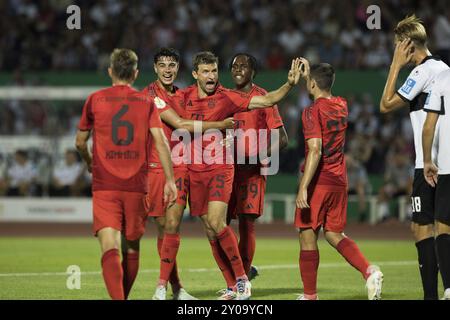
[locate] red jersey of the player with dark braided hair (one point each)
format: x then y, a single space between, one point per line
256 119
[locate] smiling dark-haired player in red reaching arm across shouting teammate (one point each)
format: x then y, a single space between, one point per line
170 107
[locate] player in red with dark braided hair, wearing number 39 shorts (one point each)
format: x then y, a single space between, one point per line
247 198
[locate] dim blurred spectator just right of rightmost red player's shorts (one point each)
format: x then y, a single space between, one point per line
358 184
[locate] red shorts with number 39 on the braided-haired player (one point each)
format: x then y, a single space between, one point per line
249 188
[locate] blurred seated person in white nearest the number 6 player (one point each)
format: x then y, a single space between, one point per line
66 176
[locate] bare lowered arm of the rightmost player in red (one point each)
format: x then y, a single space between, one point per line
312 161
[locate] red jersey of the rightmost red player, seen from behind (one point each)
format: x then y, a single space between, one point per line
327 119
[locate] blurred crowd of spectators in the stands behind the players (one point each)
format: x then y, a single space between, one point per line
273 31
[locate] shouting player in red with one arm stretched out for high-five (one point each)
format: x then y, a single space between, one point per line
211 171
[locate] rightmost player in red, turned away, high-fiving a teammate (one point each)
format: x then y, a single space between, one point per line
322 195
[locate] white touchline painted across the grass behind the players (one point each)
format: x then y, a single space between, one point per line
261 267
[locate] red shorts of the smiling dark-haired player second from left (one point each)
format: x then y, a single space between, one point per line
154 201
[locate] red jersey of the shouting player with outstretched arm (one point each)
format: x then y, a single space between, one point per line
217 107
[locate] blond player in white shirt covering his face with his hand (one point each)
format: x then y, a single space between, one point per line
411 48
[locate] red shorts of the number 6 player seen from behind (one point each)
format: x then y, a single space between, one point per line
120 210
